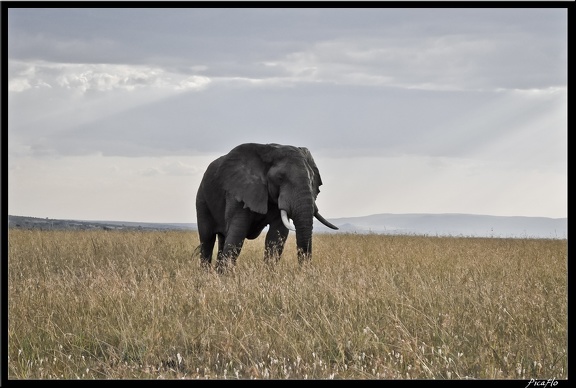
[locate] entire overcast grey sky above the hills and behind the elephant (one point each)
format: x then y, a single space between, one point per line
114 114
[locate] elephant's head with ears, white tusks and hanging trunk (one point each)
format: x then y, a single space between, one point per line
271 179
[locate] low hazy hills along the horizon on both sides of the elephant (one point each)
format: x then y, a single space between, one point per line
464 225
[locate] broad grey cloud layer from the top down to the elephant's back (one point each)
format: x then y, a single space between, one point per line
438 82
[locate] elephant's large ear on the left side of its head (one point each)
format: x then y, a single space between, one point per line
242 175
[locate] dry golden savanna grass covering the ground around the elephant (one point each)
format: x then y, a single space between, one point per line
137 305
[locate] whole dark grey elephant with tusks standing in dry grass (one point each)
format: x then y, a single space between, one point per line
253 186
